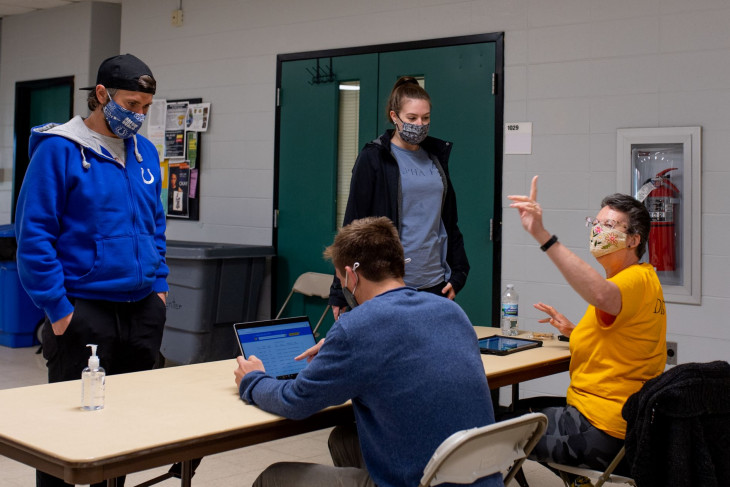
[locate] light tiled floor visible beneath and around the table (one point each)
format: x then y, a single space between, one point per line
23 367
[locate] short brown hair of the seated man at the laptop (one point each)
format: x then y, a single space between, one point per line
374 243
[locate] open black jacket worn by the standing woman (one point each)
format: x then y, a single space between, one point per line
375 190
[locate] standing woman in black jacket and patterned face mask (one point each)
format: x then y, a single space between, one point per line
404 175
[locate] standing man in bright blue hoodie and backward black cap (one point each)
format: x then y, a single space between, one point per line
91 231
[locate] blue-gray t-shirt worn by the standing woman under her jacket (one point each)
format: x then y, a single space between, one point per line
422 231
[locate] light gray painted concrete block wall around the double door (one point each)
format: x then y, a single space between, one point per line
577 69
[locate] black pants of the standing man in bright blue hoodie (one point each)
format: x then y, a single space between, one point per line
128 335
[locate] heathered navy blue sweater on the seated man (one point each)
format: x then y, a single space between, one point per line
411 365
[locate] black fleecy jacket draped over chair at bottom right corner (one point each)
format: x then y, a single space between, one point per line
678 427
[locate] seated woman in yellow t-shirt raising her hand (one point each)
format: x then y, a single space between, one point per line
620 342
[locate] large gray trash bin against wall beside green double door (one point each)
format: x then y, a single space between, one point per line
212 286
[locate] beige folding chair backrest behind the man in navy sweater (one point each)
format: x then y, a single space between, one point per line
471 454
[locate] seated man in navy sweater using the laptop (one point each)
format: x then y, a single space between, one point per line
409 361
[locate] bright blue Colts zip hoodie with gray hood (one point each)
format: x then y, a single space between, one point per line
88 226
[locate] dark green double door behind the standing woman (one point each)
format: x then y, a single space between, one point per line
459 81
